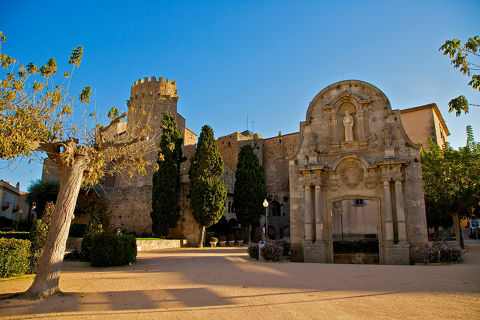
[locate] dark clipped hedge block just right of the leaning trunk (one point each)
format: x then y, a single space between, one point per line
113 250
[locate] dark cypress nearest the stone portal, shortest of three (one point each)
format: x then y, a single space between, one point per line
250 190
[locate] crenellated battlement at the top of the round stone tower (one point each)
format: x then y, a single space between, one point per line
151 88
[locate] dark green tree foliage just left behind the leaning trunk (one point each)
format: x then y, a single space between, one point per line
40 192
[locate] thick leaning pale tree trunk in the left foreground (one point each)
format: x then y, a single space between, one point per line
48 272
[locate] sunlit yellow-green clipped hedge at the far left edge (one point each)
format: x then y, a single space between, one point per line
14 257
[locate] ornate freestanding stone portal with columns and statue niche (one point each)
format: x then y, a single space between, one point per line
353 152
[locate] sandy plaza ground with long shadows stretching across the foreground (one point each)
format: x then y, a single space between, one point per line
223 283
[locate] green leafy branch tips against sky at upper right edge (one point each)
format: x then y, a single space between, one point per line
459 54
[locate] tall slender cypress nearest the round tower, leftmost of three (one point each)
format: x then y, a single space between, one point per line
166 181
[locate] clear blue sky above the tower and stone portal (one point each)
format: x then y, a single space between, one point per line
267 59
